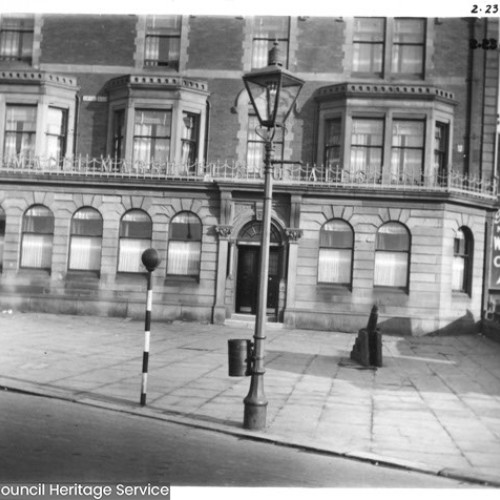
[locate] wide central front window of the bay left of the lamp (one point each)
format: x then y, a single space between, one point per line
152 129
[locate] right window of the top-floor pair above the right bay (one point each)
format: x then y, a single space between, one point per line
408 47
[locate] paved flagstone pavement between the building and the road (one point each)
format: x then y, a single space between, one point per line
433 407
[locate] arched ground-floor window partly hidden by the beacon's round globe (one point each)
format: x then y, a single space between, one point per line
136 230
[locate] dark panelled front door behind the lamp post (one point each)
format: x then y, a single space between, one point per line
247 286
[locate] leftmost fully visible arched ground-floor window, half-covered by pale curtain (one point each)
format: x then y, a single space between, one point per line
37 238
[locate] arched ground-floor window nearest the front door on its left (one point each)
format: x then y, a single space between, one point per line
184 246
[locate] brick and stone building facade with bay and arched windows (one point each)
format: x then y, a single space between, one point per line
119 133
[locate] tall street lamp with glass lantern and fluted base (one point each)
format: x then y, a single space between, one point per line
273 92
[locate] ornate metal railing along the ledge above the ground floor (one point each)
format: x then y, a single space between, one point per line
333 176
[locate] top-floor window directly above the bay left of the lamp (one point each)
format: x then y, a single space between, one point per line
163 40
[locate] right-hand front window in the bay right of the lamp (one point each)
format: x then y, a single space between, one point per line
407 160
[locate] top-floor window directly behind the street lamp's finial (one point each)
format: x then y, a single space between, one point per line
266 31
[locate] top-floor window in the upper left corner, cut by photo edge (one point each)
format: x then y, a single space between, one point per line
16 38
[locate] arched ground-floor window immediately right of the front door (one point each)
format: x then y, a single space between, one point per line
336 242
